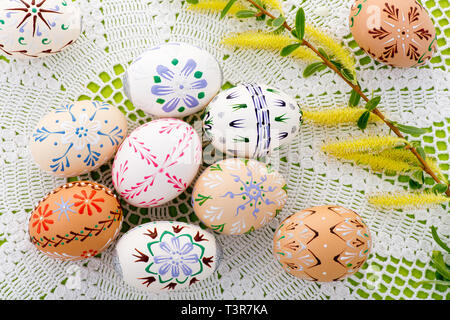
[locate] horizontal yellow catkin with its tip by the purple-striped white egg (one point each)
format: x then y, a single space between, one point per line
336 116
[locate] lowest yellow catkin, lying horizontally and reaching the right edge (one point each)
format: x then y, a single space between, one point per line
406 199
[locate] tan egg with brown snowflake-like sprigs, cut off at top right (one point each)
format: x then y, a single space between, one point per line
397 33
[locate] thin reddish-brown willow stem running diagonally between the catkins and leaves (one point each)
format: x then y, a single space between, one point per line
376 111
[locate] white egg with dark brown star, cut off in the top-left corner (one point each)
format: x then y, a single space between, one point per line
36 28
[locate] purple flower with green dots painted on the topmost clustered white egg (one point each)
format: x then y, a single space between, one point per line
180 88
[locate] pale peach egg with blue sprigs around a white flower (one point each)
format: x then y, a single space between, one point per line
77 137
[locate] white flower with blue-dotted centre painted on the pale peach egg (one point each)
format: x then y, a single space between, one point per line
81 132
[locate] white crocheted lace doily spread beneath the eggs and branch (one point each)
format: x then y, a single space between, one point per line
116 31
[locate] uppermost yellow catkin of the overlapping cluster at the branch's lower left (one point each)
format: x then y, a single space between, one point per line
379 163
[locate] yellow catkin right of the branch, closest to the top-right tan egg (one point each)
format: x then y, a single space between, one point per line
331 46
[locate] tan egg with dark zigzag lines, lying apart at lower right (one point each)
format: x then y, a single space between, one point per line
325 243
